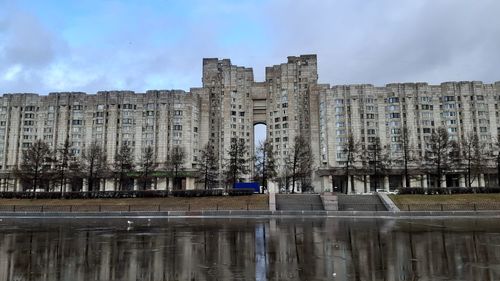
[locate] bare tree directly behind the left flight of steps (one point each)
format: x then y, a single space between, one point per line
299 161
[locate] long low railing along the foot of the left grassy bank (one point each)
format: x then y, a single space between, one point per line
128 208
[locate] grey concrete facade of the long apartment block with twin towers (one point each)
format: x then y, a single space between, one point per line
228 105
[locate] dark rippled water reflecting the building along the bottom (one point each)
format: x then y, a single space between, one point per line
250 249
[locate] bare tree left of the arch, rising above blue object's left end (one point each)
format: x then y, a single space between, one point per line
237 162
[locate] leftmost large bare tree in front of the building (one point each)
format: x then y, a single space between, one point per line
35 168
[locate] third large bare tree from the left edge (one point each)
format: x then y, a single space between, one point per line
93 164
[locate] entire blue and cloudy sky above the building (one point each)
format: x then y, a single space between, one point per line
90 45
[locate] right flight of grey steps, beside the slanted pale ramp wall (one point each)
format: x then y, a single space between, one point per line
360 203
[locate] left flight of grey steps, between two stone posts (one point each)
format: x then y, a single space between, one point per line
299 202
